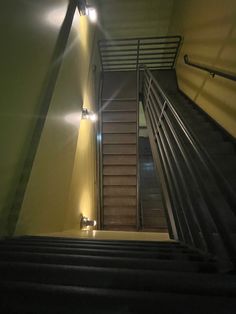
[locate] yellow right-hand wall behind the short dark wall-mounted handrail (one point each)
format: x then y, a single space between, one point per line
209 30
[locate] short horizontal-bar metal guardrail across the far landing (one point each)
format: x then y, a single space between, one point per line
129 54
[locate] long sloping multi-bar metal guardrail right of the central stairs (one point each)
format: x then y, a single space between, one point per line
199 205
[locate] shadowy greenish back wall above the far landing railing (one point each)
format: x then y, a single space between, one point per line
135 18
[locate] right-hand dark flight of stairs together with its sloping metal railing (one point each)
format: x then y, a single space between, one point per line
197 160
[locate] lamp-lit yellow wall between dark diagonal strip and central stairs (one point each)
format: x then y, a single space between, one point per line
64 167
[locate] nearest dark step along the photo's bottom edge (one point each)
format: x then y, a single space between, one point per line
55 299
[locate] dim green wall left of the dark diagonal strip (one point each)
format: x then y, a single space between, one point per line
28 39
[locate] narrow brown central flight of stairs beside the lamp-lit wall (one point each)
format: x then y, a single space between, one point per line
119 151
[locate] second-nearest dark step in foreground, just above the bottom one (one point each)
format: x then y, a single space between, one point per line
112 278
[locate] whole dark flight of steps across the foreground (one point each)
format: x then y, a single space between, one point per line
66 275
